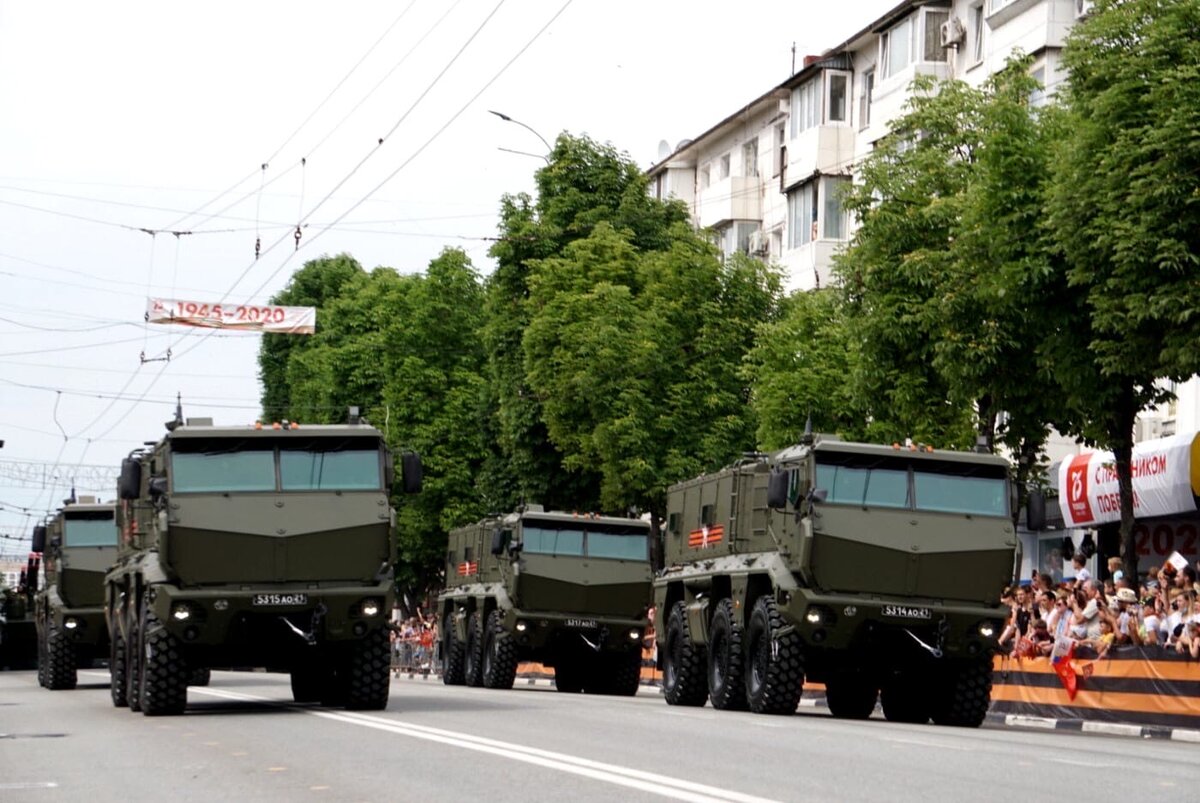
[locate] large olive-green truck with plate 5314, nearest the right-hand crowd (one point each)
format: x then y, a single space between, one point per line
877 571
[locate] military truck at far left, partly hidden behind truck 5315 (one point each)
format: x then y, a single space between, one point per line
79 546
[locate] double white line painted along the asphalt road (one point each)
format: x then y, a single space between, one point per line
646 782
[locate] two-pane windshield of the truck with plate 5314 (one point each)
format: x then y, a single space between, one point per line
938 487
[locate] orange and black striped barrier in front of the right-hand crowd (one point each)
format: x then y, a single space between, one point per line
1143 686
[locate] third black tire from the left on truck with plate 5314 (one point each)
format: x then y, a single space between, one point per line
775 664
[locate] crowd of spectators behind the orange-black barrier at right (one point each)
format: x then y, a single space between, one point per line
1160 610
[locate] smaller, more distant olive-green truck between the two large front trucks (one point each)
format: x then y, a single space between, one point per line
569 591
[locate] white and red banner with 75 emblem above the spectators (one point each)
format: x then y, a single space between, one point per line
1162 482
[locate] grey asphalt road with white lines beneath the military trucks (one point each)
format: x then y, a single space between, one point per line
243 740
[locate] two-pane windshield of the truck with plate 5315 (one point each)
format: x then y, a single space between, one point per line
250 465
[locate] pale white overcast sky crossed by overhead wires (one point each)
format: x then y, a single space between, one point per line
131 116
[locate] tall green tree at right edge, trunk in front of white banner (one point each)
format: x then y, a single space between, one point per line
1125 211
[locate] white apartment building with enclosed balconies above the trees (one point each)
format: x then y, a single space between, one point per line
767 179
